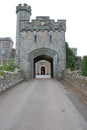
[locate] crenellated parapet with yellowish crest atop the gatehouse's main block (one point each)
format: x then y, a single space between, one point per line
44 23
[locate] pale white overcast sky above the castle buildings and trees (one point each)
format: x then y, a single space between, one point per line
73 11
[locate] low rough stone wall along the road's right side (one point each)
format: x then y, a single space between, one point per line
75 79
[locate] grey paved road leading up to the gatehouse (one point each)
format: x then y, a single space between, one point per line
42 104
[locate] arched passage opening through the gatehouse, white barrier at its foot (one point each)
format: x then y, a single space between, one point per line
43 67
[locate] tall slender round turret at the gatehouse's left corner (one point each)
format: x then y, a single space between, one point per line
23 17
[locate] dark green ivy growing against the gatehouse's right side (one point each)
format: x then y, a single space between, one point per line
70 58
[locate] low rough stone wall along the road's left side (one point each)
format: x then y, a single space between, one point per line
10 80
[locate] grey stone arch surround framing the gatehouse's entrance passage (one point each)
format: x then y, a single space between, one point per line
43 54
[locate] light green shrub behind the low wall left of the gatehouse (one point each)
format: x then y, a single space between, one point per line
8 66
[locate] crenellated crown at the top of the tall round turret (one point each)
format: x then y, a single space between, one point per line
24 7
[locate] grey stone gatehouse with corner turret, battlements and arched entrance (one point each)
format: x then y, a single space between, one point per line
40 44
